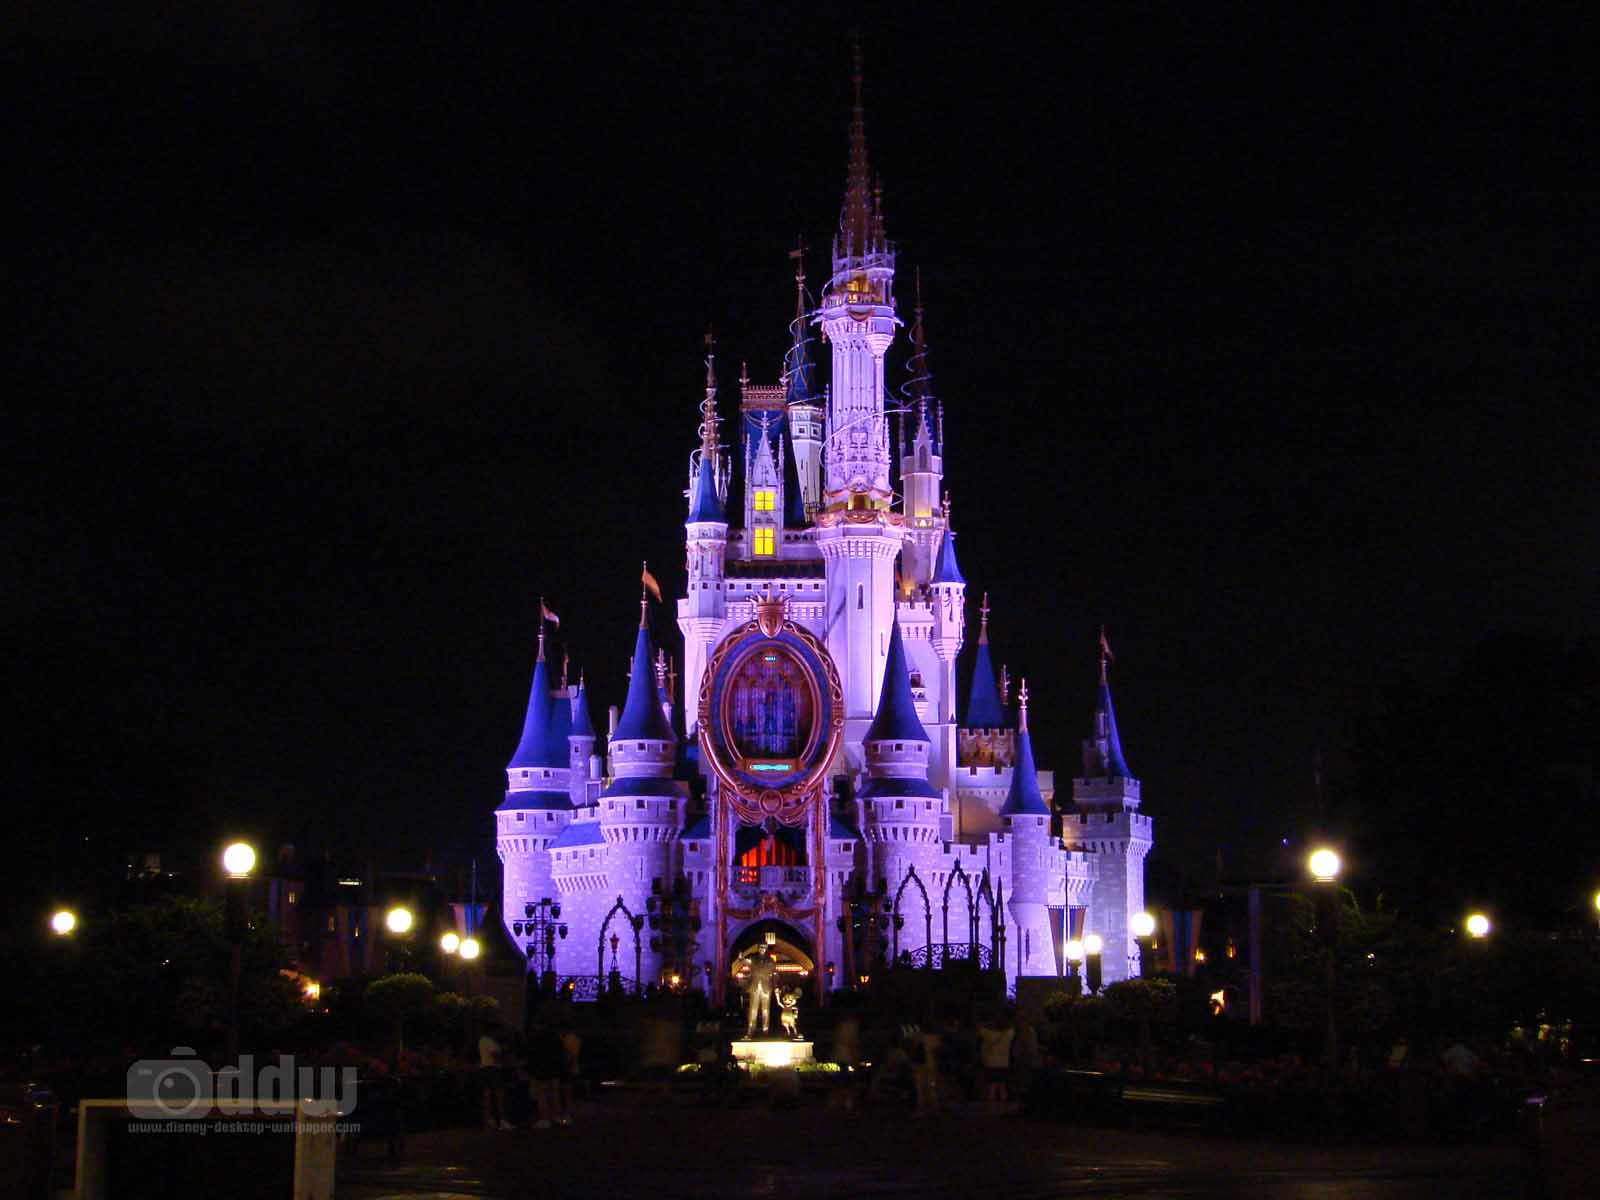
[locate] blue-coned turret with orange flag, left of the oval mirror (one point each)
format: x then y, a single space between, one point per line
642 809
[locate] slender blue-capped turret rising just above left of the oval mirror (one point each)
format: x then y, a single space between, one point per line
705 609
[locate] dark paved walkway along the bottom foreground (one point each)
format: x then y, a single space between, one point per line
678 1153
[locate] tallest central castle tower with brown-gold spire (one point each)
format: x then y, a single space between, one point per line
858 535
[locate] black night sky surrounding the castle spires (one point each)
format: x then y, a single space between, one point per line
343 338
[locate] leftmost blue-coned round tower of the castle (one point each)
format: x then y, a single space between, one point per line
538 801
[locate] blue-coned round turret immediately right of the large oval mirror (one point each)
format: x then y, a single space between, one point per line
903 809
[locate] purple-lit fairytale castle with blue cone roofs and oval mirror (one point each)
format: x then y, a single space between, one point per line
830 794
